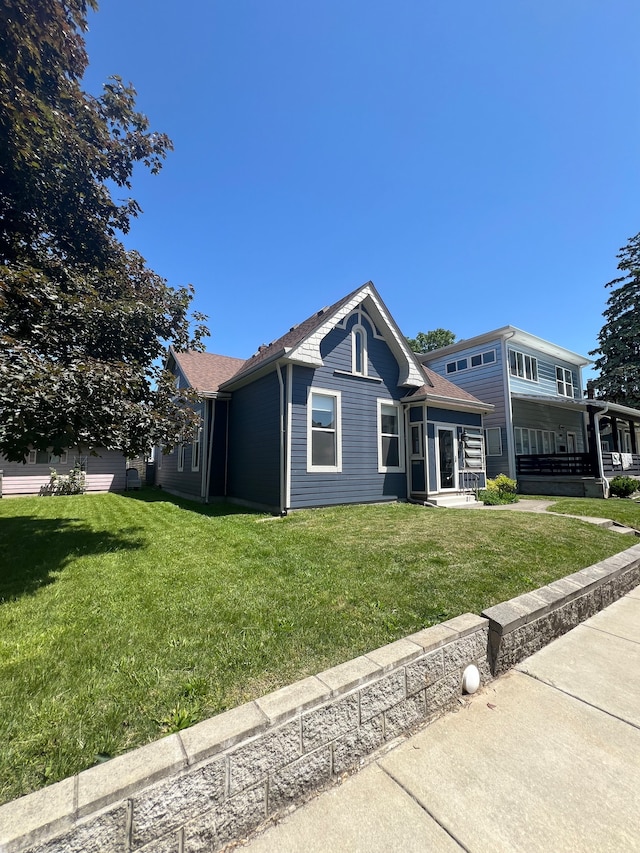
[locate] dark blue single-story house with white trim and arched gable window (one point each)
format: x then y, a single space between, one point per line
336 411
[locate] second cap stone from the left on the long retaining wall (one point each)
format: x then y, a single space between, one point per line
105 783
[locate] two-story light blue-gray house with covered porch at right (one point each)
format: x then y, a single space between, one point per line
542 430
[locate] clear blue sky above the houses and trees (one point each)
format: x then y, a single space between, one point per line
477 162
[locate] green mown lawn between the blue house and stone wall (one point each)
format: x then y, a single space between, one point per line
126 617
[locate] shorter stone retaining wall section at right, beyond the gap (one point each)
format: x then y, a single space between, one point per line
523 625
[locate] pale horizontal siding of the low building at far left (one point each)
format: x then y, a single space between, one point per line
105 473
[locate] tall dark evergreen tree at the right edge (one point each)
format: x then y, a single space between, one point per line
619 340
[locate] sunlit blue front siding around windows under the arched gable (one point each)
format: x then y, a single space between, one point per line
359 481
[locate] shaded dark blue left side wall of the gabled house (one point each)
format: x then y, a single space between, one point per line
254 443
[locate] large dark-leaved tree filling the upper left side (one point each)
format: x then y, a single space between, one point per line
84 322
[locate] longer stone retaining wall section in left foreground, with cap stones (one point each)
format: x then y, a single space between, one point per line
215 782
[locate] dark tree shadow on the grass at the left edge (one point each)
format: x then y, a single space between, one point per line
33 551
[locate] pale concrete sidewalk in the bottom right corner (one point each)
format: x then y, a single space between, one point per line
546 758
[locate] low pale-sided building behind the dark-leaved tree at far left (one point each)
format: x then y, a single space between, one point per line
105 472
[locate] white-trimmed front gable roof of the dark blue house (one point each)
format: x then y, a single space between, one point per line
301 344
